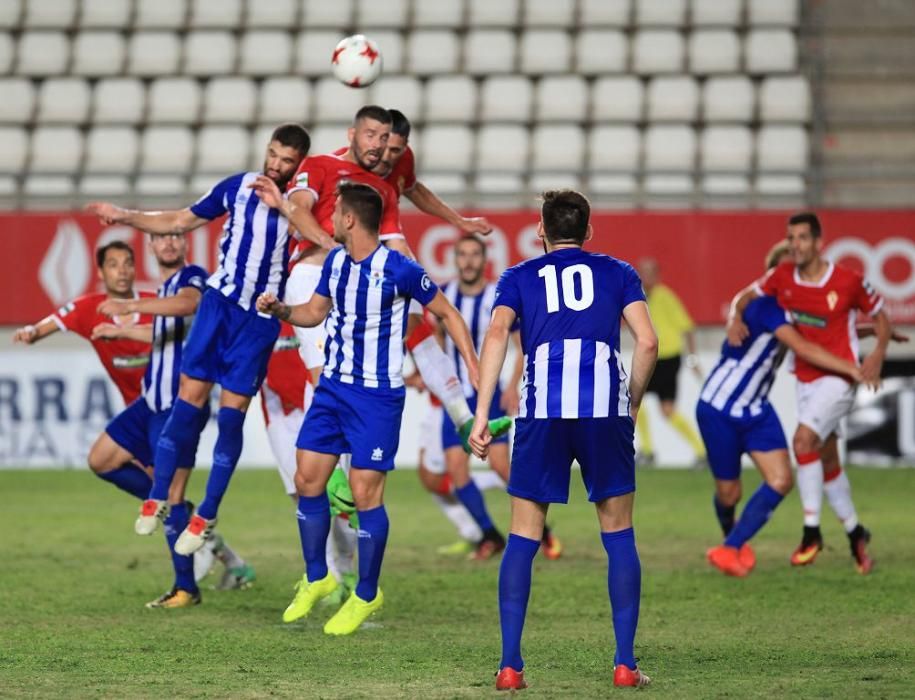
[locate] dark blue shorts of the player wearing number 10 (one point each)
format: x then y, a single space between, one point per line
545 448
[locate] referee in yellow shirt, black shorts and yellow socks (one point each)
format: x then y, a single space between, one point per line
673 325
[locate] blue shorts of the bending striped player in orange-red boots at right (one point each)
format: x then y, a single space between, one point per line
727 438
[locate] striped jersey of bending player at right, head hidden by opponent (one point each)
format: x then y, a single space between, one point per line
740 383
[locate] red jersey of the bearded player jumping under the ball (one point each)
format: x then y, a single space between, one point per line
320 175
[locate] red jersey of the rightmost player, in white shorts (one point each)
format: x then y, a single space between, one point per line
824 312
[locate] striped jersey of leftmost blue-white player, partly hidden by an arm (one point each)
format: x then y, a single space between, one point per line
160 384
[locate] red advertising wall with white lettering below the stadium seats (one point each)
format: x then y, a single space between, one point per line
47 258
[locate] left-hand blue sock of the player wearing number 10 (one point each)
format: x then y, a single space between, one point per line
514 592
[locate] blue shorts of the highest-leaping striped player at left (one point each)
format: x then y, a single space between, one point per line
228 345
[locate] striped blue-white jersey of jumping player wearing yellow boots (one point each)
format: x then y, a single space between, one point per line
366 325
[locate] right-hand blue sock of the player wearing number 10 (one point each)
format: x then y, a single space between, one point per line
624 582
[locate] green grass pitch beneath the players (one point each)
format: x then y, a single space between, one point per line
75 577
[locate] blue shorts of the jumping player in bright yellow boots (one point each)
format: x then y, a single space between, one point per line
345 418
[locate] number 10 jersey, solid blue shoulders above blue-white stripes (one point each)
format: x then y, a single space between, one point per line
570 304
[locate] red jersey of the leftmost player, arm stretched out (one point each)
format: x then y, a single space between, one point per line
124 360
